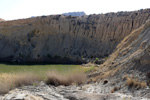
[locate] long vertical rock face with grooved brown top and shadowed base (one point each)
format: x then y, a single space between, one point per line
66 39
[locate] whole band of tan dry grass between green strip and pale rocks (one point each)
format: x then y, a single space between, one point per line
12 80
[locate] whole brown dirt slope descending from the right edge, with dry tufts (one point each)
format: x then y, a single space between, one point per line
127 69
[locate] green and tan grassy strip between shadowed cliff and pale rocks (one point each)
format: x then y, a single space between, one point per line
12 76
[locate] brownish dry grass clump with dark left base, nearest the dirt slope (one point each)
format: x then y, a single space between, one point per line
54 78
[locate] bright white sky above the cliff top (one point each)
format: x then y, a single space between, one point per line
18 9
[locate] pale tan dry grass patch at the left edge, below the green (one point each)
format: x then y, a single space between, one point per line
10 81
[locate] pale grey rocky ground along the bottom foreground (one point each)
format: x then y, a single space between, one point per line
44 92
